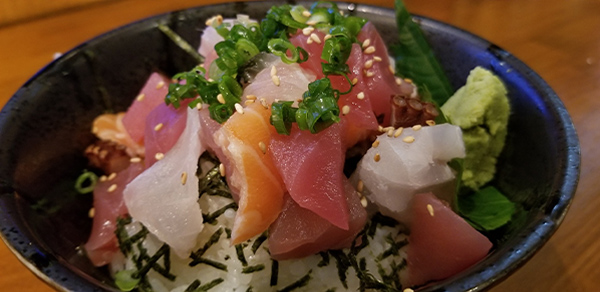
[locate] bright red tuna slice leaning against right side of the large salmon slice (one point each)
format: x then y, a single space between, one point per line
311 167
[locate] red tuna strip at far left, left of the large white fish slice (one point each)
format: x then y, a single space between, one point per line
108 205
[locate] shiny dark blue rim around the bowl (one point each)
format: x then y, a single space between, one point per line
545 225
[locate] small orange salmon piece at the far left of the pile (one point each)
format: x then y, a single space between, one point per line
109 127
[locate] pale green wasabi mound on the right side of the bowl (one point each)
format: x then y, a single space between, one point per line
481 110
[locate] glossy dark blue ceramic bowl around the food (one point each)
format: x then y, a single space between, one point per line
46 126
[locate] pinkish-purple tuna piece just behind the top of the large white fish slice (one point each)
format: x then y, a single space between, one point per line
164 125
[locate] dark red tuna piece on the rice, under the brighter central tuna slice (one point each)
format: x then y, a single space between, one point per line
299 232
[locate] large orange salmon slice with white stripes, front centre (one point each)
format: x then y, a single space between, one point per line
244 139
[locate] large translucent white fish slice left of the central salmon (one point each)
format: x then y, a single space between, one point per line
164 198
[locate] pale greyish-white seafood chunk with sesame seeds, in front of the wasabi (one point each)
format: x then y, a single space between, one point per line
405 162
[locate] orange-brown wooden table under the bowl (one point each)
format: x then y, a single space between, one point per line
559 39
